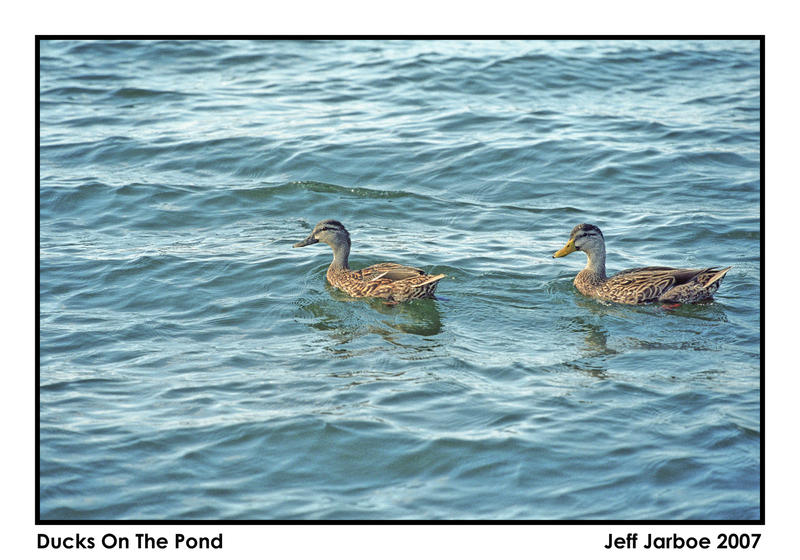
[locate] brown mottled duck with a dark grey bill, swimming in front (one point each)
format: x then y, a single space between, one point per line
390 281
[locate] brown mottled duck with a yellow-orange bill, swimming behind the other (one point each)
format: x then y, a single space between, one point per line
650 284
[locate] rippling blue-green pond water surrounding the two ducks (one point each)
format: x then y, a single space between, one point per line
195 366
